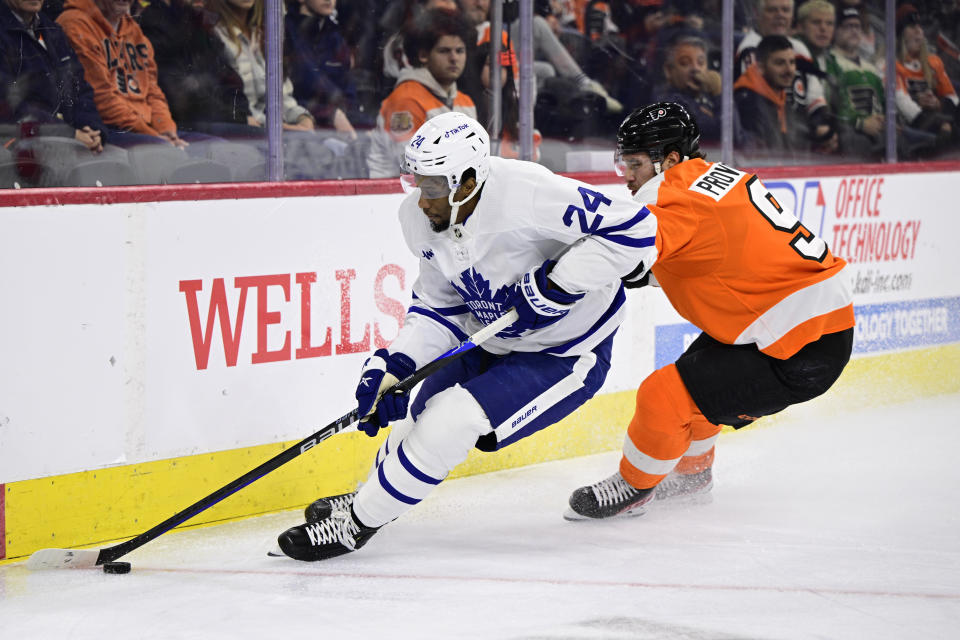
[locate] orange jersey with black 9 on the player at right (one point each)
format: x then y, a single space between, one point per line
738 265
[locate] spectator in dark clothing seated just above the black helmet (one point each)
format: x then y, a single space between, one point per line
689 82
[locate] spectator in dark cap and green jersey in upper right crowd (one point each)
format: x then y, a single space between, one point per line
856 88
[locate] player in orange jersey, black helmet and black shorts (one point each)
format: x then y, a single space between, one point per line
772 302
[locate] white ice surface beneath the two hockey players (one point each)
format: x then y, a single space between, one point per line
822 526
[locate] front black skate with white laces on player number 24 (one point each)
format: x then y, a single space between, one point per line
336 534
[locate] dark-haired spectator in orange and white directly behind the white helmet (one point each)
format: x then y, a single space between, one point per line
436 45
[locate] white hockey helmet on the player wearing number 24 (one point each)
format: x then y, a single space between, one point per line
447 145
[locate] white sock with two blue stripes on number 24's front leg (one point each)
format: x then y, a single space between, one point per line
441 439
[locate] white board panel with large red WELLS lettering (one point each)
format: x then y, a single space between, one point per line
259 326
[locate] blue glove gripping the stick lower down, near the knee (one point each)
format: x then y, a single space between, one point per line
381 371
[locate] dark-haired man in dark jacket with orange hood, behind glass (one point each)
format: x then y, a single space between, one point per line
768 119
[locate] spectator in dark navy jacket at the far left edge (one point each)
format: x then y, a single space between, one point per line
41 79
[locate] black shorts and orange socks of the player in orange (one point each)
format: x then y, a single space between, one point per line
680 407
